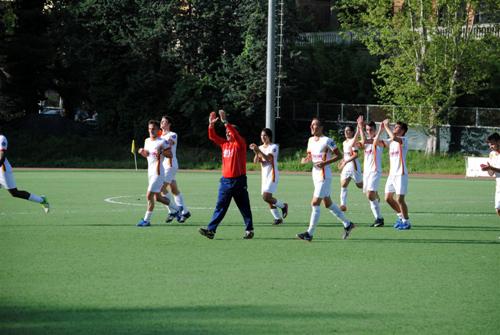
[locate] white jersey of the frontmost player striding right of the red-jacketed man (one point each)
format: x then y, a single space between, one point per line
321 149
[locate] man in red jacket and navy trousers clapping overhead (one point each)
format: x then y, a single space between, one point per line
233 183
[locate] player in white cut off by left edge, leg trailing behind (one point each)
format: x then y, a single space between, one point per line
8 182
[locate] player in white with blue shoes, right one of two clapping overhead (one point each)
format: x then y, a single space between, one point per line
397 182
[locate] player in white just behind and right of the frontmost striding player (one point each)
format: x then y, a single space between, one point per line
349 165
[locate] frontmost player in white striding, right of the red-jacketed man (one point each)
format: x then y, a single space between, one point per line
319 151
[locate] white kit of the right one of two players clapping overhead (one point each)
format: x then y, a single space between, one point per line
397 182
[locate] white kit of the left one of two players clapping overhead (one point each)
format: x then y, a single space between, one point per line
372 166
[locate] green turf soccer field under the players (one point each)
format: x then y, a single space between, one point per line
85 268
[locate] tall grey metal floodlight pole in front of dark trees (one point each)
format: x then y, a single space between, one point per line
271 75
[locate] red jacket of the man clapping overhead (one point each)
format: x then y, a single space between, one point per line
234 153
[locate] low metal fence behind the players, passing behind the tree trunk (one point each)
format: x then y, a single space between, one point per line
462 116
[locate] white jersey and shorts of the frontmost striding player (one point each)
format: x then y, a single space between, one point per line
321 149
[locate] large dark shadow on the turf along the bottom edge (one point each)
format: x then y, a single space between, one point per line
171 320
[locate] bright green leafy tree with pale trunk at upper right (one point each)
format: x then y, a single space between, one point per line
430 56
